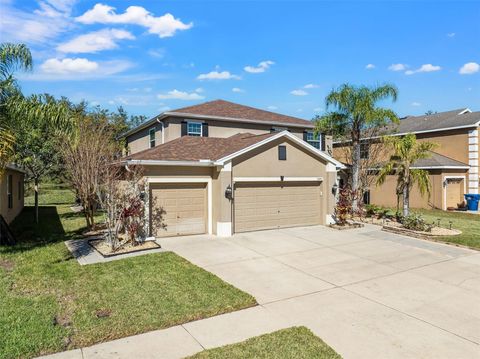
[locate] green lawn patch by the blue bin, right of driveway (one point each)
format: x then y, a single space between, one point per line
469 224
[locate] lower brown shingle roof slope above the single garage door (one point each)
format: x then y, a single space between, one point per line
190 148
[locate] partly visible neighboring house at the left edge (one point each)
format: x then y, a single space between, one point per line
11 192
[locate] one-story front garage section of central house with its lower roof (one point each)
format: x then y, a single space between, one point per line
244 182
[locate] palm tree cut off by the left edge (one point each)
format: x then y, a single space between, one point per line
13 57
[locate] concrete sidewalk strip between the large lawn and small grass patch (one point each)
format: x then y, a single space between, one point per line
186 339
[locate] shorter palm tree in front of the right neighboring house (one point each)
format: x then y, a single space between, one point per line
406 151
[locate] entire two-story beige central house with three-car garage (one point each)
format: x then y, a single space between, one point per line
223 168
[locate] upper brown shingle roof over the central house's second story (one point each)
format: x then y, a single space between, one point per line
222 108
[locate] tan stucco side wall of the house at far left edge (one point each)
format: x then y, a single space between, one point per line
10 213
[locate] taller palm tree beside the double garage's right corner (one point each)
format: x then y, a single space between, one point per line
356 113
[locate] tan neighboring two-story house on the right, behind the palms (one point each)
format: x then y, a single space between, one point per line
453 165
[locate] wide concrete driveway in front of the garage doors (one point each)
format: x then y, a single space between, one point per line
367 293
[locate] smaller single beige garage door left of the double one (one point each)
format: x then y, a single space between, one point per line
178 209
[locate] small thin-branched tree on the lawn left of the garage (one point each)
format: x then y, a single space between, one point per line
87 156
